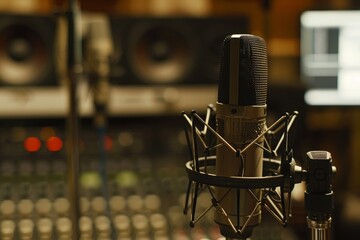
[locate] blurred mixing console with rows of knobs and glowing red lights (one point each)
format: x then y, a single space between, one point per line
139 194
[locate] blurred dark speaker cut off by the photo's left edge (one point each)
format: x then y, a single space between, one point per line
27 45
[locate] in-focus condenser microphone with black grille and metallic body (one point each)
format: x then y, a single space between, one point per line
241 118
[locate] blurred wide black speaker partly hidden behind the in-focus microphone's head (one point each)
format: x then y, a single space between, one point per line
170 51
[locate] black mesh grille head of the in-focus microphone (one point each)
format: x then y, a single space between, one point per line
243 71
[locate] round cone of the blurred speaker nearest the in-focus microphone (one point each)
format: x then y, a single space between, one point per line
161 54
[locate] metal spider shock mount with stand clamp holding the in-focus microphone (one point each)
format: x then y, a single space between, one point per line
280 174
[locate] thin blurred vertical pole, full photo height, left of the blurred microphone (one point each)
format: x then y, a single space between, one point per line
74 70
